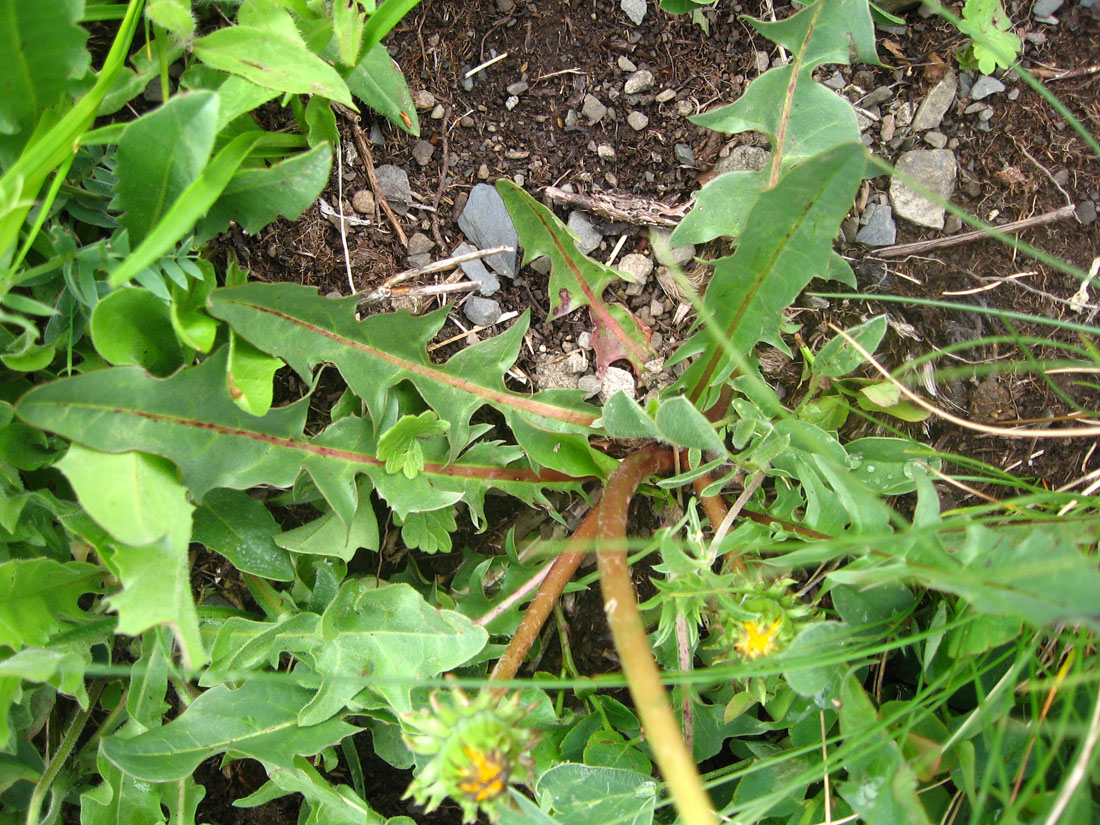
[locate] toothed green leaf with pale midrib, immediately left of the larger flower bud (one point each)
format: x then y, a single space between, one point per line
259 721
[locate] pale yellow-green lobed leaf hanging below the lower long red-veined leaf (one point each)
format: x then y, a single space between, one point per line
139 500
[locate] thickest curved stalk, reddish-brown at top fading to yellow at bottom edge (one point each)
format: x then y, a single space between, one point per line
676 763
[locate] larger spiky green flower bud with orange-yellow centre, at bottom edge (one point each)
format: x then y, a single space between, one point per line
475 750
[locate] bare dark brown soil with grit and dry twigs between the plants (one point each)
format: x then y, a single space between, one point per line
1028 163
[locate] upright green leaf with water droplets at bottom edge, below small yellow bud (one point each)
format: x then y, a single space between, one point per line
881 786
